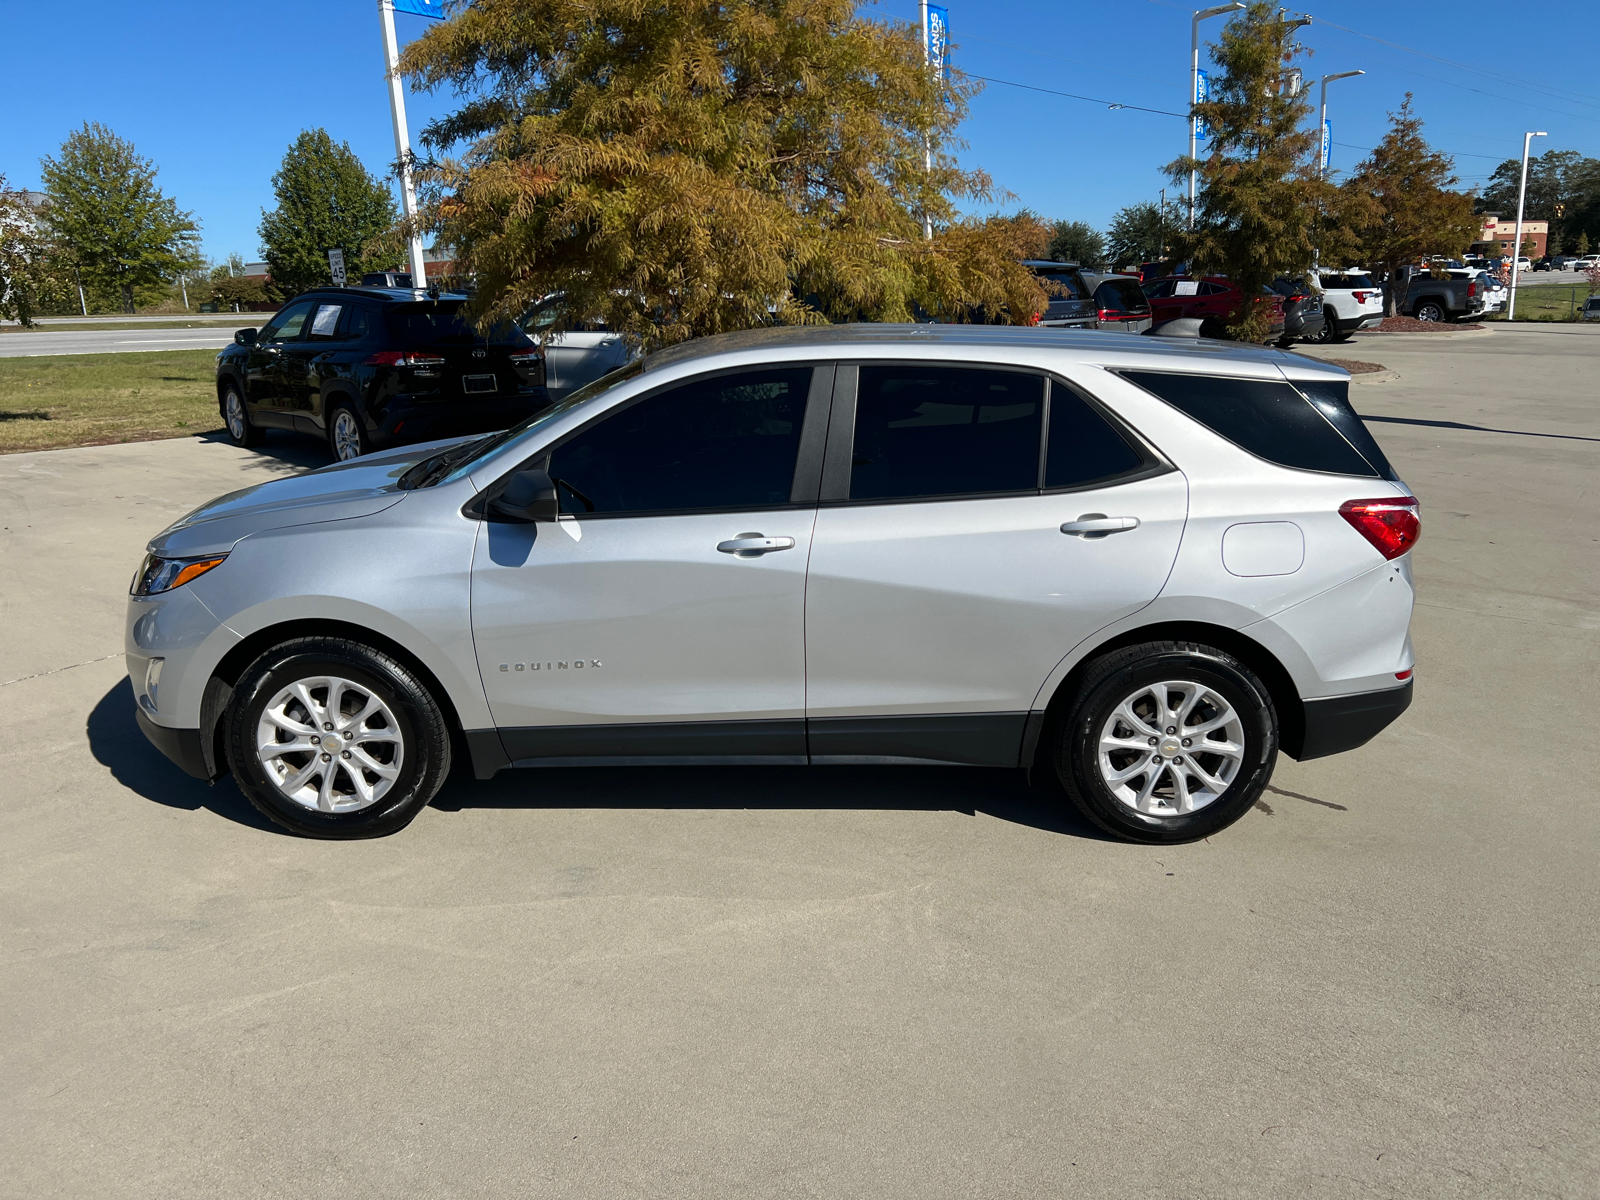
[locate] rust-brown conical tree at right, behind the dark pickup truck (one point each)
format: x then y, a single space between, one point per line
1414 210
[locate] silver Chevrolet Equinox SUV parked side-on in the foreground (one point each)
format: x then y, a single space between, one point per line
1138 566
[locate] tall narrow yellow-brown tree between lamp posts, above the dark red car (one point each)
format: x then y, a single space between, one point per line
1258 186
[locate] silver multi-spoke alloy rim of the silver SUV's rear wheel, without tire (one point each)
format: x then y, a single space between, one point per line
1172 748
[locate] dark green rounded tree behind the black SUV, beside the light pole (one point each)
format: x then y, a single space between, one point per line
327 201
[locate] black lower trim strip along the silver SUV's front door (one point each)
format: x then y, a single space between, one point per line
758 740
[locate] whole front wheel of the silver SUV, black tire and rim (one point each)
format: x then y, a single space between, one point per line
337 740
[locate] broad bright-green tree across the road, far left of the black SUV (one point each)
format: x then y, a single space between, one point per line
106 214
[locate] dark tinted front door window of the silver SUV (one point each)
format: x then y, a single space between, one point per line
727 442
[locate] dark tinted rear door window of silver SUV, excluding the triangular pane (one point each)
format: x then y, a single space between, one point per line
945 431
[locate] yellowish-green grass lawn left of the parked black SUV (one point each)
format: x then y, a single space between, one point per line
98 399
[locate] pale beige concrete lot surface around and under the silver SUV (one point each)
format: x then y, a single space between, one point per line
833 982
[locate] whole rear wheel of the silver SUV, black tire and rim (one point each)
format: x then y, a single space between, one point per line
1167 742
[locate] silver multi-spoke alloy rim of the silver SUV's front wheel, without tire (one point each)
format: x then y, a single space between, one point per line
330 745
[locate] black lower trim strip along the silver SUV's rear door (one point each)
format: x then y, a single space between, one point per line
966 738
